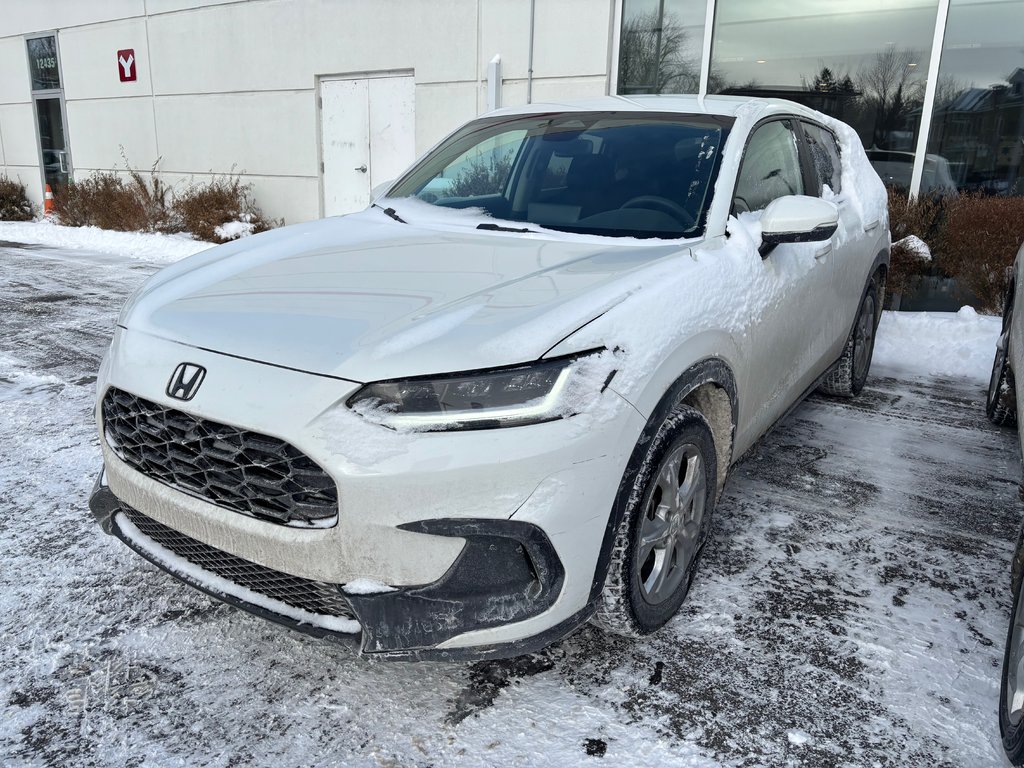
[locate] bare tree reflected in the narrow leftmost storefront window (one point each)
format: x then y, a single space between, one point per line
655 57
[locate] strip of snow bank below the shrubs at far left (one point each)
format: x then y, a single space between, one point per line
146 246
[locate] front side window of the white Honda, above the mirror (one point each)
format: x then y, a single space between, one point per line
771 168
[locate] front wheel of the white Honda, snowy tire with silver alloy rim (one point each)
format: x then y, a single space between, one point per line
648 582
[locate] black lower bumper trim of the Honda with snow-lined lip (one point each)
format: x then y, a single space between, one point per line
508 572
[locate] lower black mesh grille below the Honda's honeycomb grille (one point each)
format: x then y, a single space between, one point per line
313 598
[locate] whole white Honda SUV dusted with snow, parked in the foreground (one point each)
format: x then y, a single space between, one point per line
502 401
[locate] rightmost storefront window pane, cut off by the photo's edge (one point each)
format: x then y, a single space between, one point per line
977 137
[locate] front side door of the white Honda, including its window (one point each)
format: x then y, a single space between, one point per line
789 334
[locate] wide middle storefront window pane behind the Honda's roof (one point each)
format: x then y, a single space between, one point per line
861 61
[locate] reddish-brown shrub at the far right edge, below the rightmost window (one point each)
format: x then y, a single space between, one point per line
978 242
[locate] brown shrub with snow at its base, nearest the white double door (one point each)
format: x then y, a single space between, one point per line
203 208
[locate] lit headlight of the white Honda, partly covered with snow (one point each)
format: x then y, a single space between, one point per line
482 400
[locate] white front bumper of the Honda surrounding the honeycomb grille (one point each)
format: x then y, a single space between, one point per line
416 511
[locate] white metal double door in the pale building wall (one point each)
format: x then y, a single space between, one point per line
368 134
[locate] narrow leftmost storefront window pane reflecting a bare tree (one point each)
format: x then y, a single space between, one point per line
660 47
